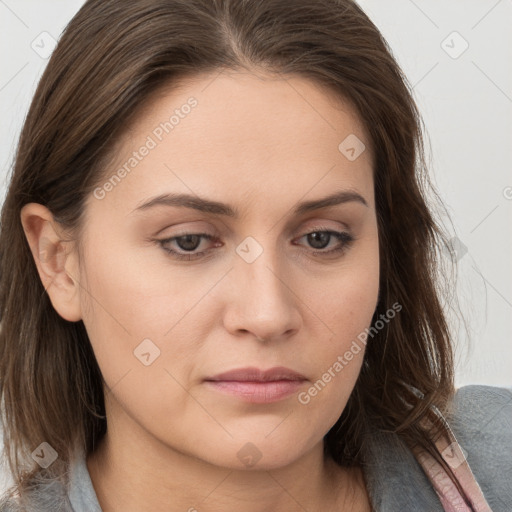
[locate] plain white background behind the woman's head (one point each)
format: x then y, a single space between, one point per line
466 103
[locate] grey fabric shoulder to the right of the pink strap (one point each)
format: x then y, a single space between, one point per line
481 419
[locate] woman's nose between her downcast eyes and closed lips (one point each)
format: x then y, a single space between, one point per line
261 300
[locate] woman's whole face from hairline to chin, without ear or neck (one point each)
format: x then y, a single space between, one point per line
238 162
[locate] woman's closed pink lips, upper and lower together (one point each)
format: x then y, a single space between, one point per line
257 386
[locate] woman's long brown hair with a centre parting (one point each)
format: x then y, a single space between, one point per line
112 57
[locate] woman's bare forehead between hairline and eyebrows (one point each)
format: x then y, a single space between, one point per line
242 134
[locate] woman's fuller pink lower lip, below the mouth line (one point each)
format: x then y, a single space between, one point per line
257 392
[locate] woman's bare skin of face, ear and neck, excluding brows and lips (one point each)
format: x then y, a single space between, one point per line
261 144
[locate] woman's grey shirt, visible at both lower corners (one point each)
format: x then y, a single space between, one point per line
481 422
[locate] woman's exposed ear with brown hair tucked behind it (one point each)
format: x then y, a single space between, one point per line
55 260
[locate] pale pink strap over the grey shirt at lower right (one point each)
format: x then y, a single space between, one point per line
453 454
